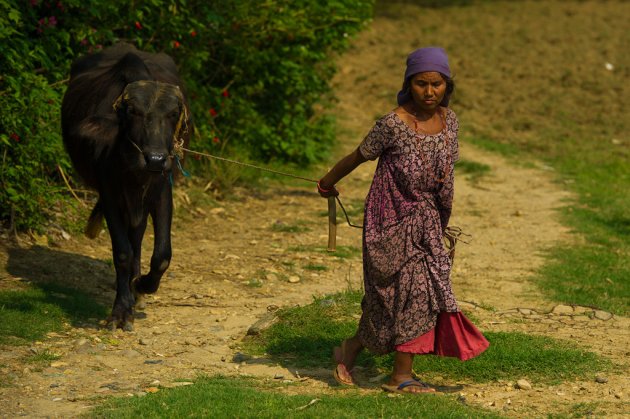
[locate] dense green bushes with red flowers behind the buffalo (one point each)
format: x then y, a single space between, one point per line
257 73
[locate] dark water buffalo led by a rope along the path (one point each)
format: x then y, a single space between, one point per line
124 117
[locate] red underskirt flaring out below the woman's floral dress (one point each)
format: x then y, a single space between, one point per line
454 335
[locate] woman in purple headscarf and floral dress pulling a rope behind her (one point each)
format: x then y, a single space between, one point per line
408 307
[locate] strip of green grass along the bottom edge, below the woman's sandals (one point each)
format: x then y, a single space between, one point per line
219 397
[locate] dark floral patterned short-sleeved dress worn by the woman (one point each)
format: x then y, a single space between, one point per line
406 267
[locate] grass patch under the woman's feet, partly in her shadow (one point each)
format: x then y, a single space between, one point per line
305 336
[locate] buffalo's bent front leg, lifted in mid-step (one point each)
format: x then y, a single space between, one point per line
161 258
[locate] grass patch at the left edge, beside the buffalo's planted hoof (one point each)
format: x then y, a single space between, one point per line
28 314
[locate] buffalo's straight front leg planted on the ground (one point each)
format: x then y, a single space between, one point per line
122 252
